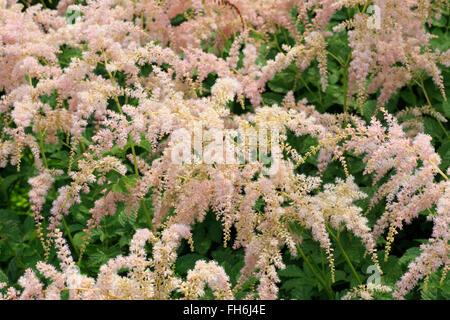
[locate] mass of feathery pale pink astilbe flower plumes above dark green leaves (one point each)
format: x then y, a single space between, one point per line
138 79
